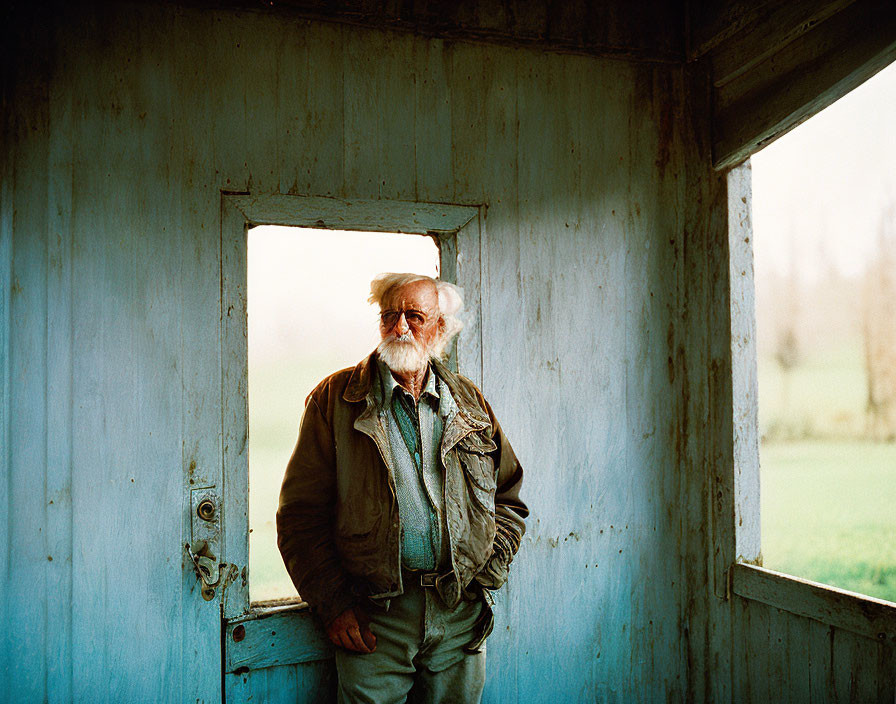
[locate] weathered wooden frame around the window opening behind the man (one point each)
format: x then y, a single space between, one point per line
456 228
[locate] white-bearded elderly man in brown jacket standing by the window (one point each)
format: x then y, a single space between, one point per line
400 508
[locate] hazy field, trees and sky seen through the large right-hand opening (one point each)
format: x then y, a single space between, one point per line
824 223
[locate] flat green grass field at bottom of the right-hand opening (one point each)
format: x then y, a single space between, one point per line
829 513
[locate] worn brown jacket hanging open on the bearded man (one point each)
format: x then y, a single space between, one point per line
337 524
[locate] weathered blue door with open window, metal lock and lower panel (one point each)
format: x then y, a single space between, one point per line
275 653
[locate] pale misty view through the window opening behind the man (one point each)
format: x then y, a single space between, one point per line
308 316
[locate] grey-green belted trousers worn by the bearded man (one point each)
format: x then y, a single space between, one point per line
419 654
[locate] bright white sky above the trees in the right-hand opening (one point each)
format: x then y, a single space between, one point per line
820 191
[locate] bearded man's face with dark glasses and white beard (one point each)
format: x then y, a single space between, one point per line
410 324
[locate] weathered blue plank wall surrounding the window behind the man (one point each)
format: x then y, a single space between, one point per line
602 215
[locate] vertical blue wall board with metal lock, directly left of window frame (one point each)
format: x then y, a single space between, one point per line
196 277
